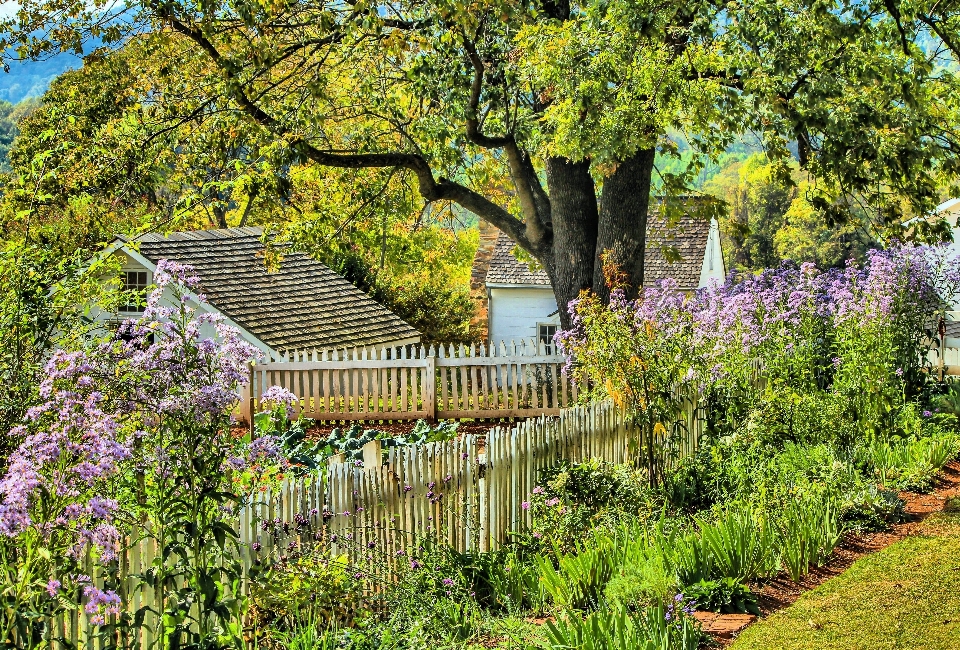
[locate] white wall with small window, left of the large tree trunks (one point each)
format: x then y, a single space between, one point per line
514 312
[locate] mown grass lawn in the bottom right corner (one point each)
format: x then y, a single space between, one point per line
905 597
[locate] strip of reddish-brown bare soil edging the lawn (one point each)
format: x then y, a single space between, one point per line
781 592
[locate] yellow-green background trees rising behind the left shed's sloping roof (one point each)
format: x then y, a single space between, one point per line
84 171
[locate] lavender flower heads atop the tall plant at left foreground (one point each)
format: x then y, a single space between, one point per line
101 410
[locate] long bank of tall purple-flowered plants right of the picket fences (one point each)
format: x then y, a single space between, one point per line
860 334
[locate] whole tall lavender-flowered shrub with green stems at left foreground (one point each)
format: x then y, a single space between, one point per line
133 441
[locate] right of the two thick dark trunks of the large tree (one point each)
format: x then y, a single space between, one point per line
622 229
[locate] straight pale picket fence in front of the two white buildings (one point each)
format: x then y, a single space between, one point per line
403 383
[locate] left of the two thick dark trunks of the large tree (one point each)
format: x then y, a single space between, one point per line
574 215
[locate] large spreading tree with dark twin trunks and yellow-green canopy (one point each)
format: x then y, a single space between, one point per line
546 118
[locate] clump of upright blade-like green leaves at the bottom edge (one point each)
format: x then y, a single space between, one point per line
655 628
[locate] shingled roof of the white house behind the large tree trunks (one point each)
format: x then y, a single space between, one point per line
687 238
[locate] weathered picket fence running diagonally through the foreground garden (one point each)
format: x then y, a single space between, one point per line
469 492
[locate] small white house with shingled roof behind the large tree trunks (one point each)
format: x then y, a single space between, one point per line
520 304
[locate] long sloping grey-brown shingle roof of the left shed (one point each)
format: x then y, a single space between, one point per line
301 305
